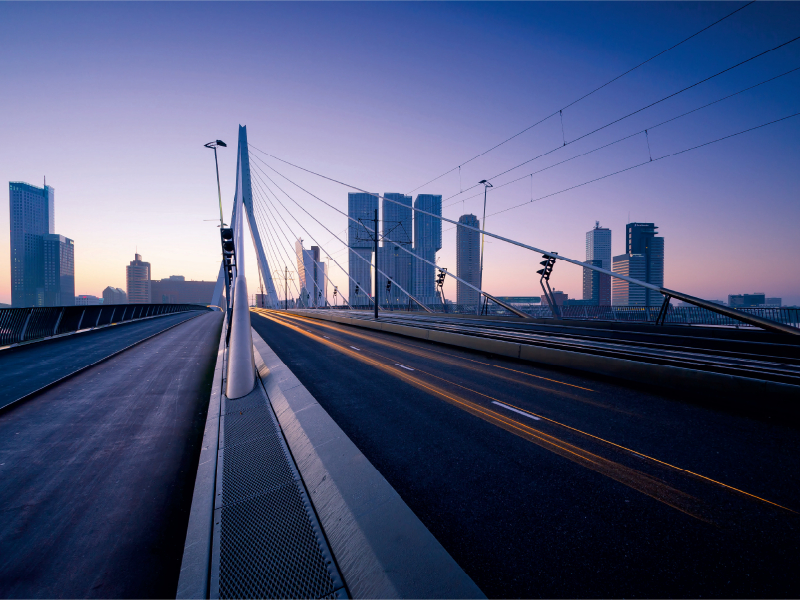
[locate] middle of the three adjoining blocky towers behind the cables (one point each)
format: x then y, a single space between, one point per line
396 263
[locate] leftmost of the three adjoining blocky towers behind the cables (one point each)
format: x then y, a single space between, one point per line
359 239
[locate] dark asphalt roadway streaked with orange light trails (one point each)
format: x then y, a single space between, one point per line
544 483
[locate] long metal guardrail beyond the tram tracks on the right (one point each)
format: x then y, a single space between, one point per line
683 315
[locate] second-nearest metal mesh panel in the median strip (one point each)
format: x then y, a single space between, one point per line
252 468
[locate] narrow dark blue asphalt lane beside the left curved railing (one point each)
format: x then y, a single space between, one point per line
27 368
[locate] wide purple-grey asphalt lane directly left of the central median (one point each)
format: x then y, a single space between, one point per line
98 472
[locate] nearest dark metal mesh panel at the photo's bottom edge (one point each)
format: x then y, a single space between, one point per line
268 549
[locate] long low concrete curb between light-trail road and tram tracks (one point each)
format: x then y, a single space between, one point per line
667 376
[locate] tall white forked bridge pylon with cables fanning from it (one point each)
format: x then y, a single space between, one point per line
244 195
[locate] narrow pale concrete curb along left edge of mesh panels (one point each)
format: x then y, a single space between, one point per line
196 563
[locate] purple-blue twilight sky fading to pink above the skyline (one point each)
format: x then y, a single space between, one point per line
112 102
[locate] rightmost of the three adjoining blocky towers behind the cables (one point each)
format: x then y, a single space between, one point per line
427 241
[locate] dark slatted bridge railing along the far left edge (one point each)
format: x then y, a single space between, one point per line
26 324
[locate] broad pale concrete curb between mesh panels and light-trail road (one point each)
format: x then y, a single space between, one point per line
382 549
